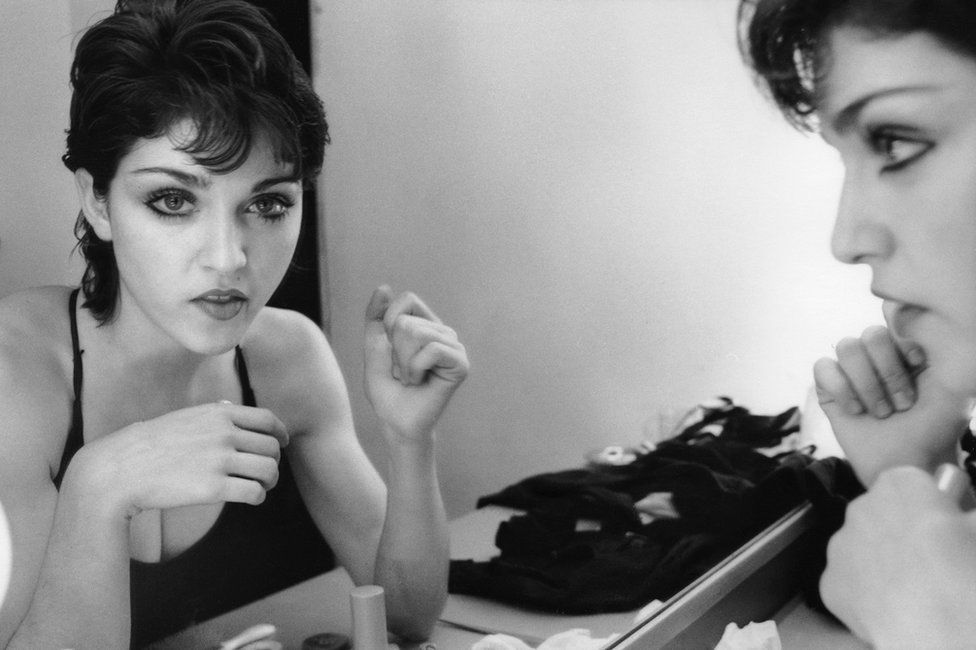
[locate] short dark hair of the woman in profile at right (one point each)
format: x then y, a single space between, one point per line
784 41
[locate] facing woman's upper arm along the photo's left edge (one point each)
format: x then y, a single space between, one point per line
31 393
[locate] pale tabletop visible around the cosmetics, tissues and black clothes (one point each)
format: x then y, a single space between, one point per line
321 604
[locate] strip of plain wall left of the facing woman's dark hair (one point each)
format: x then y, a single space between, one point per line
37 192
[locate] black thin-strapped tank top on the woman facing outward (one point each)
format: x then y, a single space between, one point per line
249 552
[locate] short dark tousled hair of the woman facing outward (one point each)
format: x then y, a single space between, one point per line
153 63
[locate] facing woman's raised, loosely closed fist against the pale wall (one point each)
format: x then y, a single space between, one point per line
413 363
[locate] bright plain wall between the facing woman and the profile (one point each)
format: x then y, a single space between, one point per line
596 196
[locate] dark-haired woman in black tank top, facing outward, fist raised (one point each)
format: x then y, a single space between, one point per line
156 424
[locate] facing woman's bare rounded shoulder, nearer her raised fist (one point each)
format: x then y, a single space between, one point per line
293 370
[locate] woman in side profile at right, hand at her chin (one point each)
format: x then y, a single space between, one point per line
892 86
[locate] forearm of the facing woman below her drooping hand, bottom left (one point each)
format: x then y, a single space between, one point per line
82 594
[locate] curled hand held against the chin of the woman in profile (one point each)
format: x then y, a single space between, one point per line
884 408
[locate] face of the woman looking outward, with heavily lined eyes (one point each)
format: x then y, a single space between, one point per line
199 253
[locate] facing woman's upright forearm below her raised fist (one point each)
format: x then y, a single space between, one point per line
413 557
